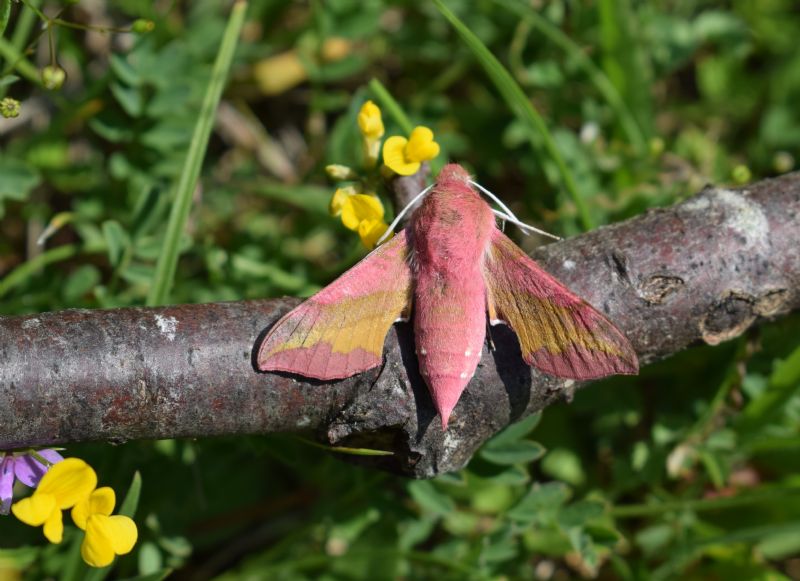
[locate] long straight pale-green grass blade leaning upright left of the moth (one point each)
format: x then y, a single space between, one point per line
187 182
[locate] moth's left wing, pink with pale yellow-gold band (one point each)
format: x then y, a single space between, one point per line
340 331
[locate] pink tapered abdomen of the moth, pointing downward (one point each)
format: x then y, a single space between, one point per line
449 331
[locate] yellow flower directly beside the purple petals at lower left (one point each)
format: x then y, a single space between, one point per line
62 487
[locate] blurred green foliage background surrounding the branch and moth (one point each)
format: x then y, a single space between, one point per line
689 470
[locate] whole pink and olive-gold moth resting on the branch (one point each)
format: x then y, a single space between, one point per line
448 270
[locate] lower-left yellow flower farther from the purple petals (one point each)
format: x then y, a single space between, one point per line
106 535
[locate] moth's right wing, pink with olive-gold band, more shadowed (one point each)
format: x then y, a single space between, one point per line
559 333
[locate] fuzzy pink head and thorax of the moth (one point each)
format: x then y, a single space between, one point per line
452 227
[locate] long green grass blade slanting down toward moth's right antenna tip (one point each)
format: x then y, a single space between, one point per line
522 108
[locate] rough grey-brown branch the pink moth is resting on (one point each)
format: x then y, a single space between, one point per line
704 270
